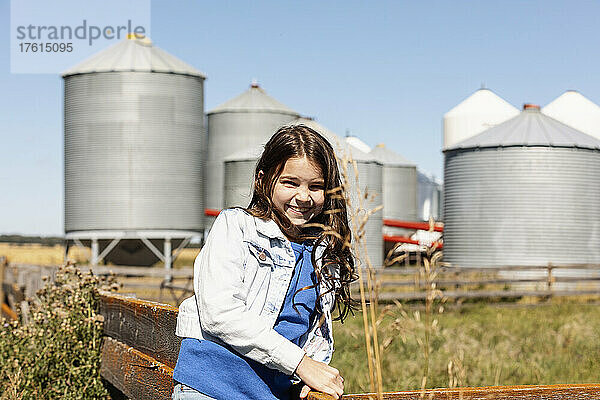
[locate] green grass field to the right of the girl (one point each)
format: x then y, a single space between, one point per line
487 345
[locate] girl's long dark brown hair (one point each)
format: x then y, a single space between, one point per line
331 227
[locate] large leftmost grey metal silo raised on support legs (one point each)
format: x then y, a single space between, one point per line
134 140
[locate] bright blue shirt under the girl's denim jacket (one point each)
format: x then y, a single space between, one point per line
221 373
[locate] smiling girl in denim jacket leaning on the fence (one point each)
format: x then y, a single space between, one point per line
267 280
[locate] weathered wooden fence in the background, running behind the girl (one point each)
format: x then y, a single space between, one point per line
396 283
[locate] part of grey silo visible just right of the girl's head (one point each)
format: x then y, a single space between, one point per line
369 172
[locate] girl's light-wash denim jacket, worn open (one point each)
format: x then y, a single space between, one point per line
241 278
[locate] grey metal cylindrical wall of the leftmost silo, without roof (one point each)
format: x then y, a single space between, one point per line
134 151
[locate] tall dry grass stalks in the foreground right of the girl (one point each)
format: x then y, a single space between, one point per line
361 205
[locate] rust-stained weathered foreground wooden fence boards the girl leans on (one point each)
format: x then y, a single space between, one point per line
140 351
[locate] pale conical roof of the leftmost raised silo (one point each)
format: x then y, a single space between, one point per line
132 54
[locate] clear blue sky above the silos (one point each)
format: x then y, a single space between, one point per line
384 71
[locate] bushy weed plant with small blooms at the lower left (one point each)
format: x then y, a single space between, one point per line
56 353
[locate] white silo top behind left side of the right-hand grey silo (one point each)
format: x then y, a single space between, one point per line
480 111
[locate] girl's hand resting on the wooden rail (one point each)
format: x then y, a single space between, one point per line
321 377
